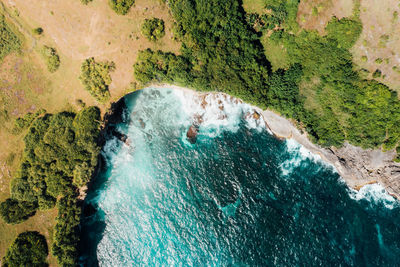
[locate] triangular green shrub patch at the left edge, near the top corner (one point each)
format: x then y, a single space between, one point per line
9 41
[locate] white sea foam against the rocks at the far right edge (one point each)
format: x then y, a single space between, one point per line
374 193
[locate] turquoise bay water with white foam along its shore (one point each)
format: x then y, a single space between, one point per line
237 197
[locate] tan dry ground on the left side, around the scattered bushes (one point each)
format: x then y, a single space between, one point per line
77 32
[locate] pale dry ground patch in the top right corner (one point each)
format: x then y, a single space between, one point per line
379 44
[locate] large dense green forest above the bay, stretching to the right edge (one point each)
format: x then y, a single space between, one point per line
320 88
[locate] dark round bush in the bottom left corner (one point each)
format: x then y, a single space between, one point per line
28 249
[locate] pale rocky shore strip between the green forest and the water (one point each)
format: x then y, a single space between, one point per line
357 167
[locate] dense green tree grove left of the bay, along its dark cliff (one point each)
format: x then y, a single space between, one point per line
60 156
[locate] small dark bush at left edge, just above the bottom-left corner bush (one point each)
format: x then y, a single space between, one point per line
14 211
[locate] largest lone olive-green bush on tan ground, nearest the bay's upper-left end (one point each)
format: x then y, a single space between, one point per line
96 78
